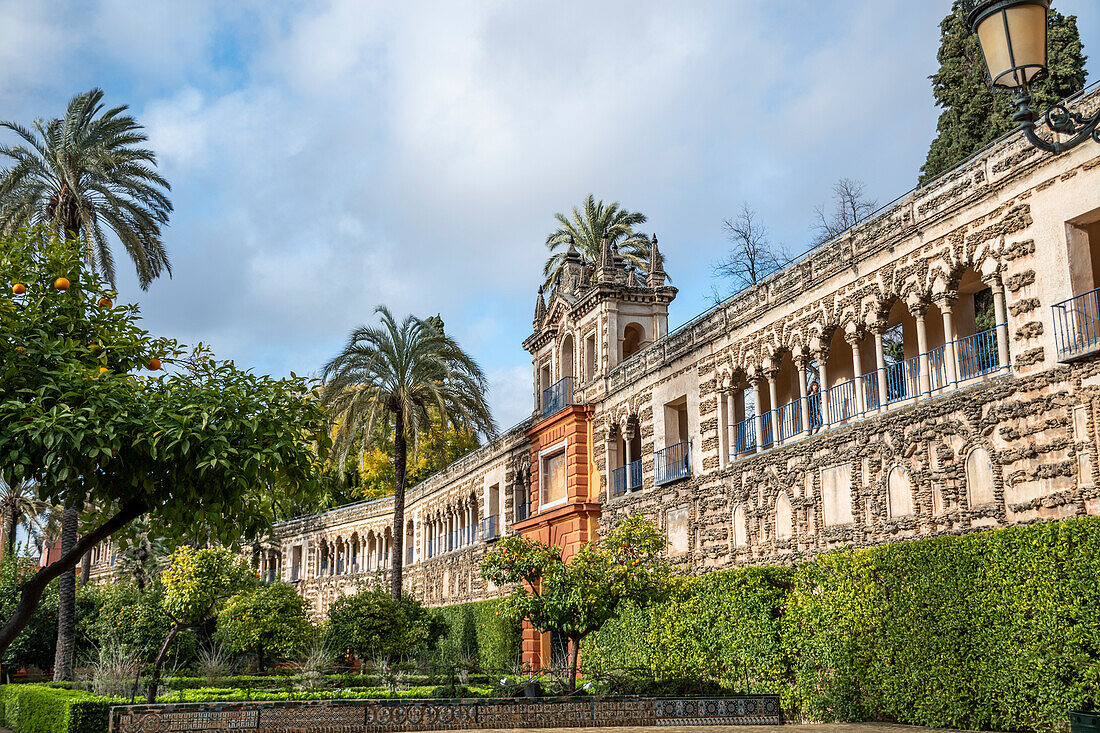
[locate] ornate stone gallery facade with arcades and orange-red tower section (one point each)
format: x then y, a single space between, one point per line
932 370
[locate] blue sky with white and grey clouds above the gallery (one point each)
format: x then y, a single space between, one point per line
331 157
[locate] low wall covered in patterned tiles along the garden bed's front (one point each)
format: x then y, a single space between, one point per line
402 716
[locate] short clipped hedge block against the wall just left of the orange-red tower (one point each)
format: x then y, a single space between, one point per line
481 633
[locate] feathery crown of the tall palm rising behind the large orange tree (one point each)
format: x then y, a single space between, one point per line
85 173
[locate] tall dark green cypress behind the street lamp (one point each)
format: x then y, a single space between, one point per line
975 115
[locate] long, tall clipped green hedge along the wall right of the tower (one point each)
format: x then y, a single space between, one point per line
997 630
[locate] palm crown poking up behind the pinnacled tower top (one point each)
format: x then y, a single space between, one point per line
586 229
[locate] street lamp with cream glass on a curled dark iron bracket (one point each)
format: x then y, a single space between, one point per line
1013 35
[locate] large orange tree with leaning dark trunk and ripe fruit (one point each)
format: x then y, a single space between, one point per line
87 415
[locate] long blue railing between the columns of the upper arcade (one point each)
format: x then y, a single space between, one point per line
927 376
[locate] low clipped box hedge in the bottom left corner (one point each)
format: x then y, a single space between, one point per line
41 709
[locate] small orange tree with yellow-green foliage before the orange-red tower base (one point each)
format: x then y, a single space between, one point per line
577 598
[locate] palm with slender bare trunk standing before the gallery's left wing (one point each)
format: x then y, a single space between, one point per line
404 378
